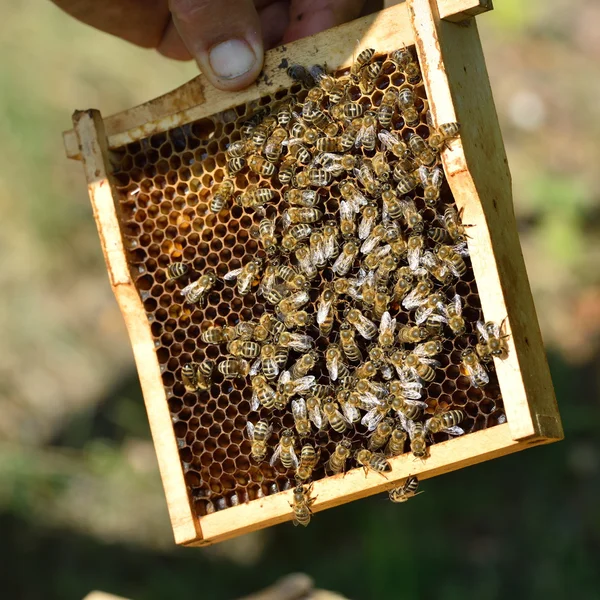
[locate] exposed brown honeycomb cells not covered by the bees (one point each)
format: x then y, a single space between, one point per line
165 185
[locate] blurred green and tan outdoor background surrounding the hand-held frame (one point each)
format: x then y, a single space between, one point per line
81 504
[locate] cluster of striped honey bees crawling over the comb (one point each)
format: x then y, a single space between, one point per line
369 277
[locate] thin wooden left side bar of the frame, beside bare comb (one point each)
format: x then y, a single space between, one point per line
92 142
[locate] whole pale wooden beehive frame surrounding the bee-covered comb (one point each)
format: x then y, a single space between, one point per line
476 168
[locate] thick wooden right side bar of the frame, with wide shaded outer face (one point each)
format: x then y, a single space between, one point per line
456 77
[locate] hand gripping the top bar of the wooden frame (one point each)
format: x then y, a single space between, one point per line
227 38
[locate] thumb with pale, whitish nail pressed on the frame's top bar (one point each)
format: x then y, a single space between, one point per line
224 37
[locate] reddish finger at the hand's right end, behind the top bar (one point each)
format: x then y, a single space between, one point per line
308 17
